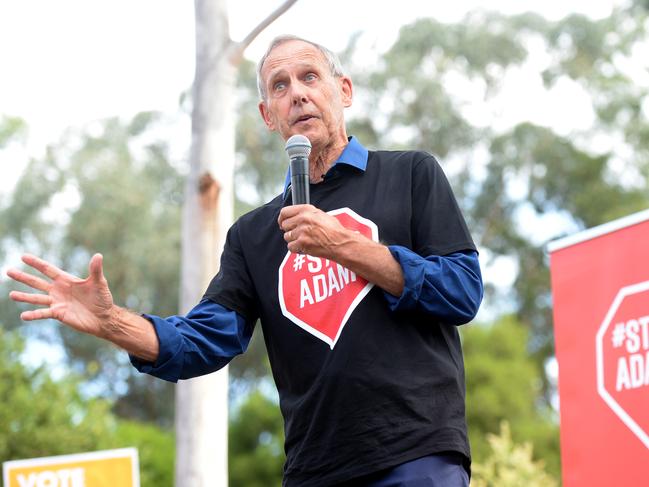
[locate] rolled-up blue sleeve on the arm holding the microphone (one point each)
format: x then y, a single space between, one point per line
448 287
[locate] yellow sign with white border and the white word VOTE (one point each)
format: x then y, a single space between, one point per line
108 468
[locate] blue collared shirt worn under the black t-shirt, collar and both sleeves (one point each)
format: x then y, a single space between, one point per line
448 287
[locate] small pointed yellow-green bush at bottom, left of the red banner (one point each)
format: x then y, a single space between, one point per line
510 465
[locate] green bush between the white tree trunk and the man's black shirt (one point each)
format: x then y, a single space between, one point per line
256 439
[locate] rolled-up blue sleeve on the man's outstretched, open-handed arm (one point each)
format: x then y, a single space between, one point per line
201 342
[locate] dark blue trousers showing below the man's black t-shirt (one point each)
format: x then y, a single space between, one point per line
430 471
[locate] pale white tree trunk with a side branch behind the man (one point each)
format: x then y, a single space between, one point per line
202 403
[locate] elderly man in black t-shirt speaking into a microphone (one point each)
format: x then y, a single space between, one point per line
380 270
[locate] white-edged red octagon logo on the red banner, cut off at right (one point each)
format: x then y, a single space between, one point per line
623 358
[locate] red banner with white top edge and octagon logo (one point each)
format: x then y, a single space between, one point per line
600 289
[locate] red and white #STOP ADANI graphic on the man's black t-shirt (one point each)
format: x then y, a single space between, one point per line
320 295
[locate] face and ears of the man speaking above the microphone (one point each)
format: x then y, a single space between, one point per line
302 95
